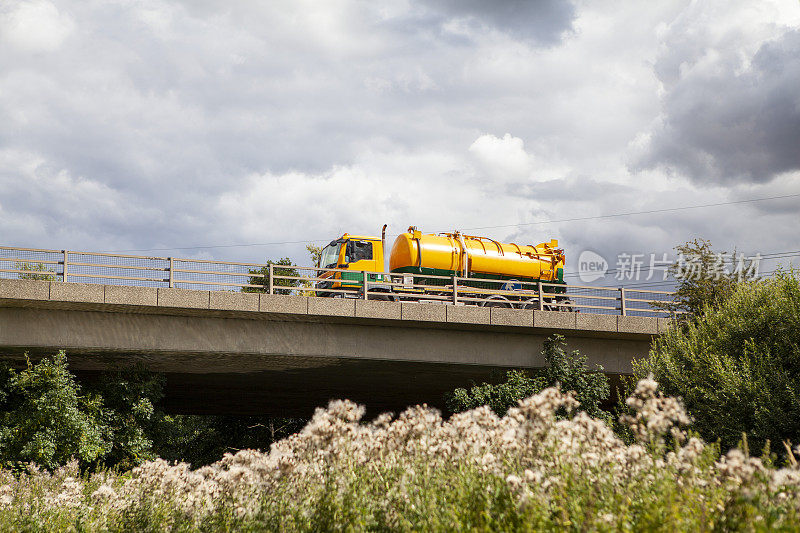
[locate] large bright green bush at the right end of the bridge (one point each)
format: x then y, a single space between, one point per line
737 367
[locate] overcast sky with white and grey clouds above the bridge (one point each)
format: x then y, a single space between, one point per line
159 126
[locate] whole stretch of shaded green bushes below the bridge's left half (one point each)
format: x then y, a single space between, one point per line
46 417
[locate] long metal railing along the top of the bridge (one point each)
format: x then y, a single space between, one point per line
119 269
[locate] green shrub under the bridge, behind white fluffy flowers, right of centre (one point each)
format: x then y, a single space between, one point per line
567 370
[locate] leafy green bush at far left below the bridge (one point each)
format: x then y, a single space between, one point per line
45 419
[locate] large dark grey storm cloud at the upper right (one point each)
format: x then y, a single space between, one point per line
727 122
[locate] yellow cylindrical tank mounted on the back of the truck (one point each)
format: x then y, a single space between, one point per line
449 254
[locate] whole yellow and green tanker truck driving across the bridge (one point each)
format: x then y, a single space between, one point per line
433 260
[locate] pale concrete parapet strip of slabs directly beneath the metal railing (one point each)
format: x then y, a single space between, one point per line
86 296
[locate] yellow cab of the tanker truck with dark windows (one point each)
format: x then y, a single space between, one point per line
355 254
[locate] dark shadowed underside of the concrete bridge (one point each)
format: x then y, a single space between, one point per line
293 388
